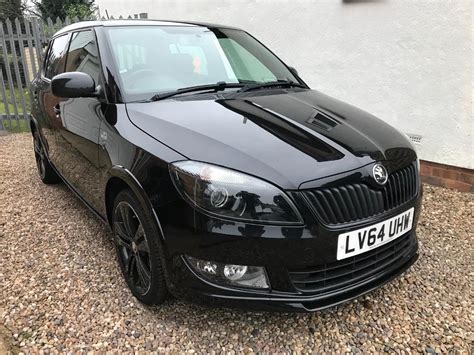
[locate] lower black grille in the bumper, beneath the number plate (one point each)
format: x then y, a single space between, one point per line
346 272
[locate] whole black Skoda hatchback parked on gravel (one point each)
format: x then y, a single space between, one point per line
224 178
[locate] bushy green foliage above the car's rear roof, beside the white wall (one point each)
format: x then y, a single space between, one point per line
84 9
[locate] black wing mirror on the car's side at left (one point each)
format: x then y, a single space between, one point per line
73 84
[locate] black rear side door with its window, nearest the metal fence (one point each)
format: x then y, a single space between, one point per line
45 105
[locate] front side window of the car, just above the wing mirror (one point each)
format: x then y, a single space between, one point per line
83 54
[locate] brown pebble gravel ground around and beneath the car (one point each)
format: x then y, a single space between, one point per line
60 287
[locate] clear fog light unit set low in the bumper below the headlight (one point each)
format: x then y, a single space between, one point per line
230 274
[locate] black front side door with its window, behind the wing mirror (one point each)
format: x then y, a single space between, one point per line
78 131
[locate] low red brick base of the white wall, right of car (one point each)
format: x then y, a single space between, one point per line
447 176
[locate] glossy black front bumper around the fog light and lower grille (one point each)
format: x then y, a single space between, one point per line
279 249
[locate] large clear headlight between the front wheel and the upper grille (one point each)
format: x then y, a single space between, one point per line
230 194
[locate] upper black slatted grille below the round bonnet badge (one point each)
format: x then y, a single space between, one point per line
352 202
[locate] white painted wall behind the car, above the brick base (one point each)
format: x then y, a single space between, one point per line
408 62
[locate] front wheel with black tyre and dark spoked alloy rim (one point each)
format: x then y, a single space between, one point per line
139 249
